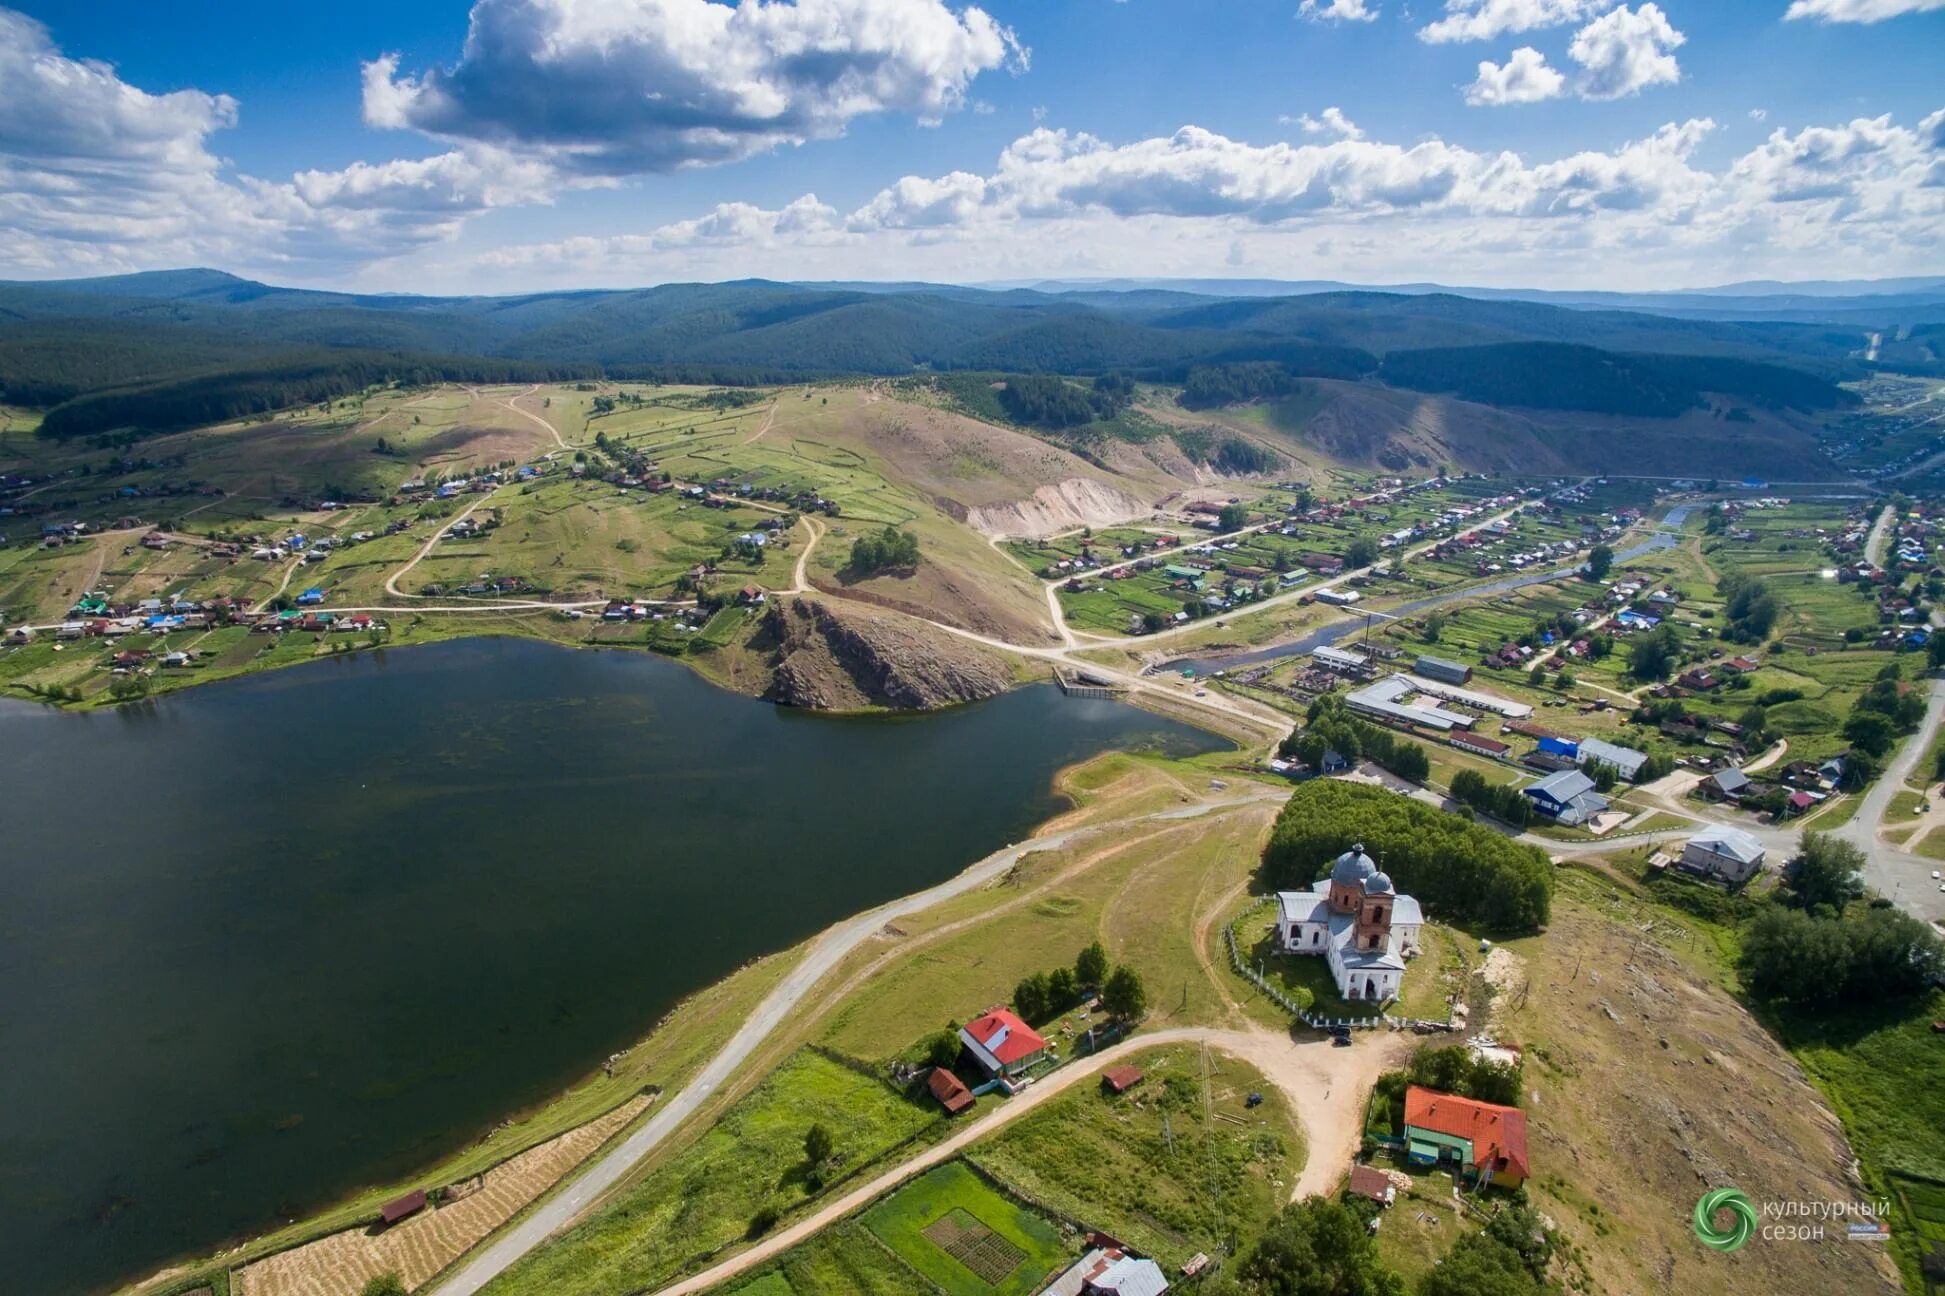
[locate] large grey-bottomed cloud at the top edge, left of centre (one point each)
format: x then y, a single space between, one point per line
637 87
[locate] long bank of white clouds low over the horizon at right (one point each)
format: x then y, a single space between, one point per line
1860 198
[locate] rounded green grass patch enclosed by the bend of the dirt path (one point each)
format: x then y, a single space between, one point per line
1145 1165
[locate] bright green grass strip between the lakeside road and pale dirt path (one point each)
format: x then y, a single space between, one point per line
711 1194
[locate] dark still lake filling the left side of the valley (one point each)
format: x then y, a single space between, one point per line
283 937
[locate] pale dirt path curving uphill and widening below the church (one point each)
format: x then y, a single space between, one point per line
1326 1087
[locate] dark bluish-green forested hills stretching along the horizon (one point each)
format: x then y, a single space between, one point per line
166 347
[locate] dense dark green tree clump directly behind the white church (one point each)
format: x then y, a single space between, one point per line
1458 869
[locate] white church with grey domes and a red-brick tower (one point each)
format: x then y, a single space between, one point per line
1359 923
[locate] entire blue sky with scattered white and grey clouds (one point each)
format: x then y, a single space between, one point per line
522 145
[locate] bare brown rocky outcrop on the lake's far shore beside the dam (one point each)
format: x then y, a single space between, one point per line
843 657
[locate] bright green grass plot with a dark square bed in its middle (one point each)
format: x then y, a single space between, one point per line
1003 1248
